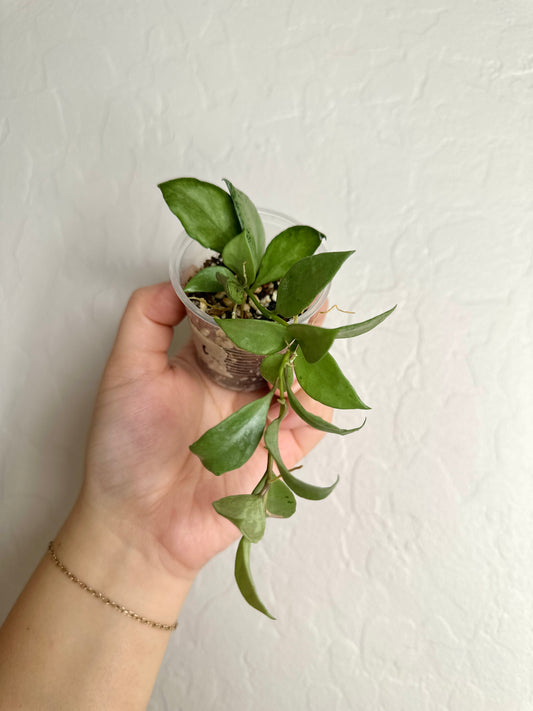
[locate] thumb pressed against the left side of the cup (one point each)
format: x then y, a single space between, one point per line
146 328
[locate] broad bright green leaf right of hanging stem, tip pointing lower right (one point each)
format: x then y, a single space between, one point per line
324 382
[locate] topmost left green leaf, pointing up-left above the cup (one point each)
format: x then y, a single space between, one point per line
206 211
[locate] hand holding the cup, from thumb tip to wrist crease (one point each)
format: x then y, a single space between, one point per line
141 477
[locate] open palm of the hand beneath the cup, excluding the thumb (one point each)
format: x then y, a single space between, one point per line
138 456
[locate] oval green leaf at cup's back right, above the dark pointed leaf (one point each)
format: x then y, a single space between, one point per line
286 249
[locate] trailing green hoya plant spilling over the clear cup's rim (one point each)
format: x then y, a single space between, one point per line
261 293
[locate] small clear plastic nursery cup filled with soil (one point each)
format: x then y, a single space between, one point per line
225 363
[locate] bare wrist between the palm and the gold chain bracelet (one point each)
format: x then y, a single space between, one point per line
113 560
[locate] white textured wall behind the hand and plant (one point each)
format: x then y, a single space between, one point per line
401 128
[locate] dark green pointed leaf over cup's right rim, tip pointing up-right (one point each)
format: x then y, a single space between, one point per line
306 279
